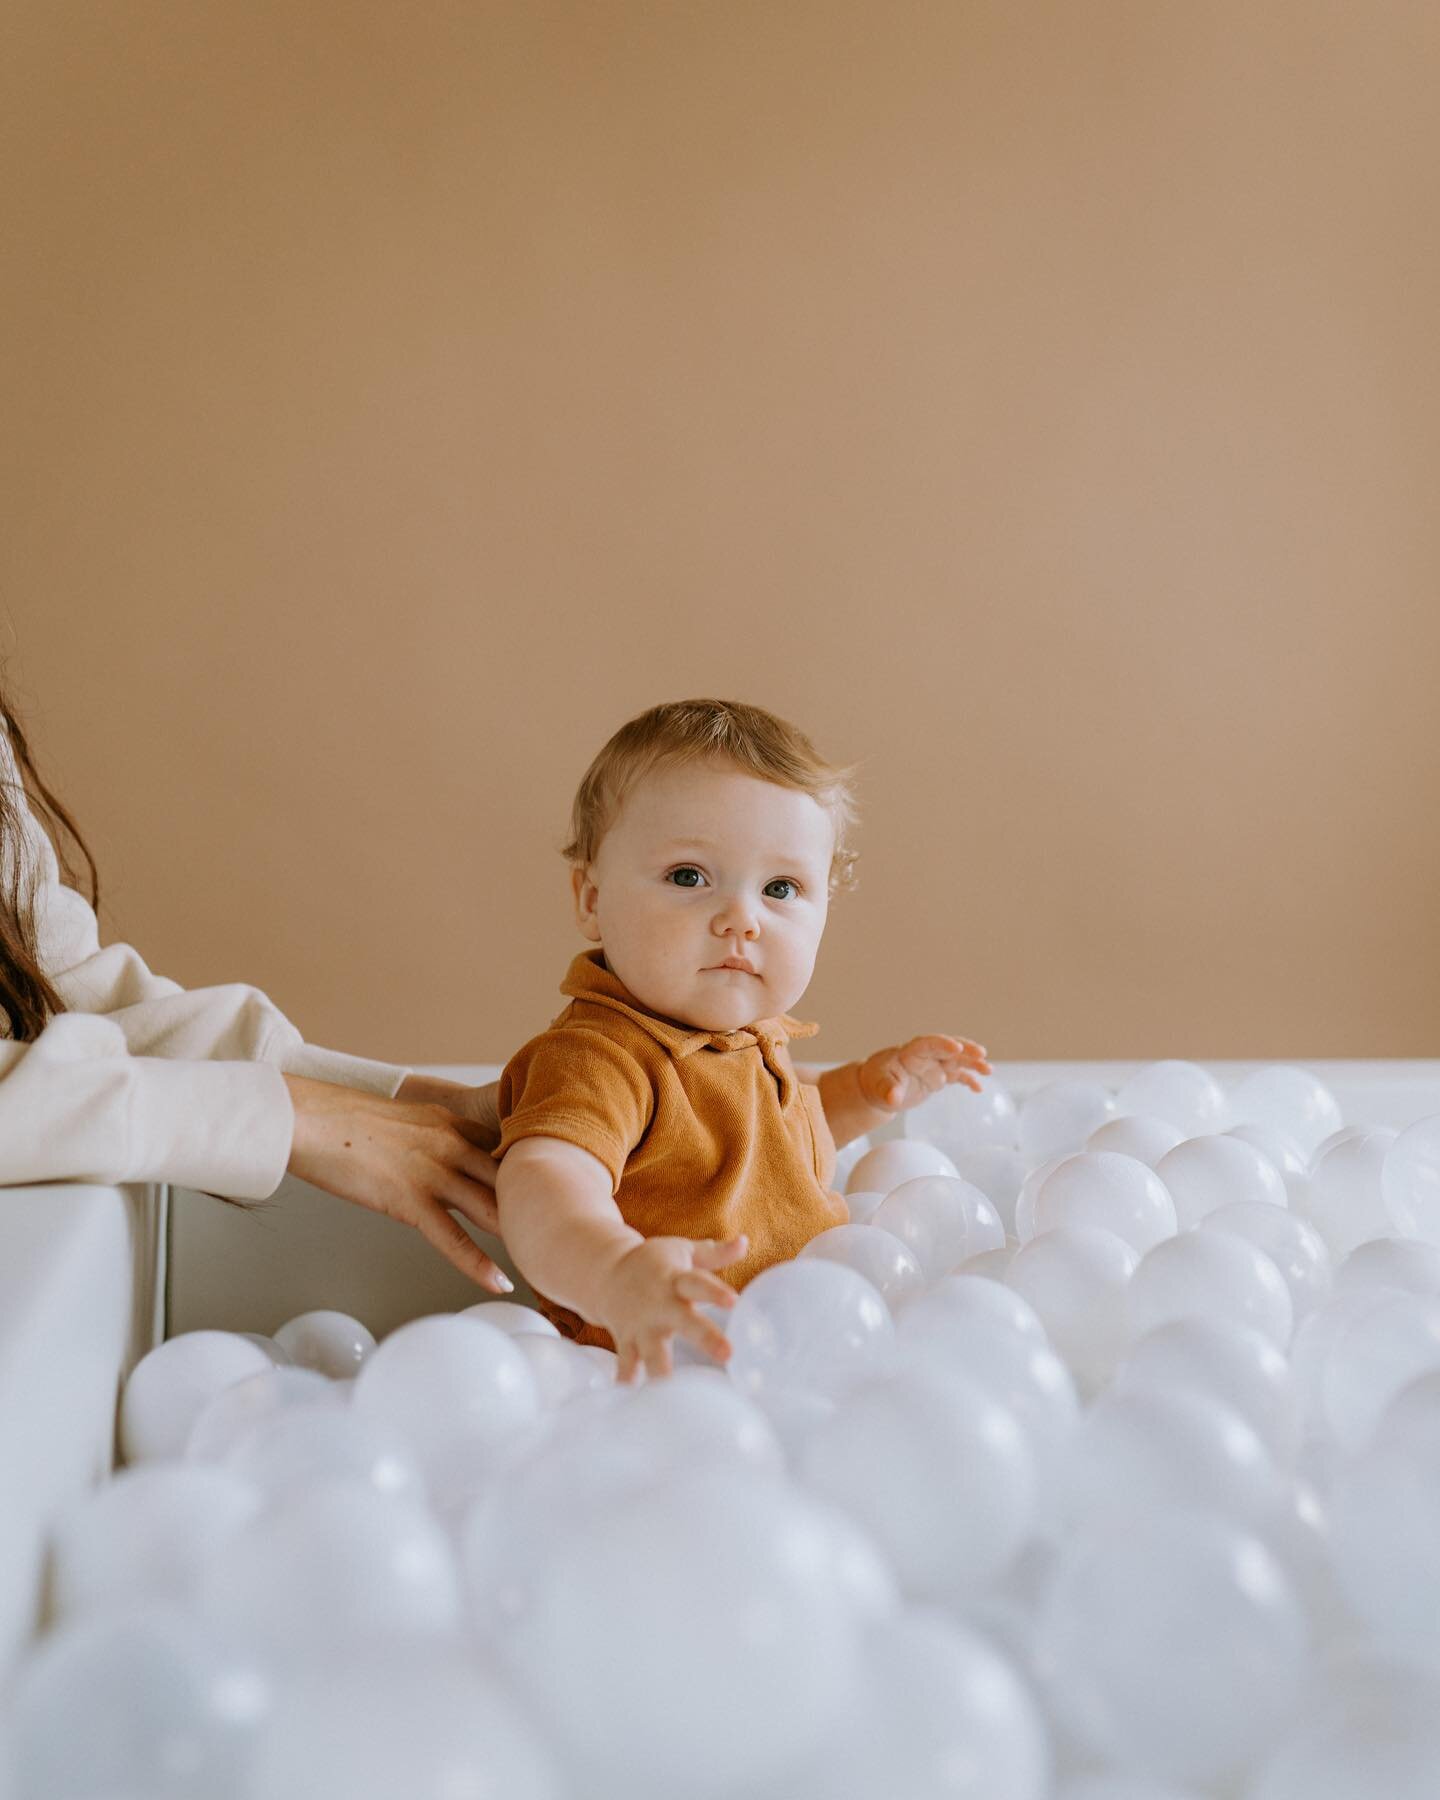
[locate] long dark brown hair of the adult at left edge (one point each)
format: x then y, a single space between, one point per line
28 998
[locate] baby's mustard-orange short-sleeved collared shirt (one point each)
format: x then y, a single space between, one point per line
706 1135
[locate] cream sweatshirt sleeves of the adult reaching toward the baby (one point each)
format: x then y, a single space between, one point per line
141 1079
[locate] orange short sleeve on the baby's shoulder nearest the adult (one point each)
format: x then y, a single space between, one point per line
580 1086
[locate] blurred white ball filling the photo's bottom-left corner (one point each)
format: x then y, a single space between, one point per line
141 1705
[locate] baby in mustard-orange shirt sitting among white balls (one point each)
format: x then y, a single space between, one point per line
658 1146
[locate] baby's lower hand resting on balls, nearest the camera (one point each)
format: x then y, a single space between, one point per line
654 1293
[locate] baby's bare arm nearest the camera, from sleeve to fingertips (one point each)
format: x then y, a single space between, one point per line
568 1237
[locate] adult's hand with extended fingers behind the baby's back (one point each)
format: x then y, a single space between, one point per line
413 1160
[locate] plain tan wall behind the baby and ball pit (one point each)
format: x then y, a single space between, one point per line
1039 404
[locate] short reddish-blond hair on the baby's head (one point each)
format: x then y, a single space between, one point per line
685 732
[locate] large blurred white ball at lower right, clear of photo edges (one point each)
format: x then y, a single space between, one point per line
1110 1644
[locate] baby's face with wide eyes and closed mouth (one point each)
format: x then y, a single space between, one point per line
708 865
